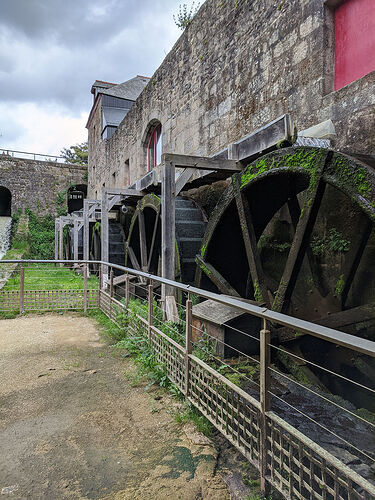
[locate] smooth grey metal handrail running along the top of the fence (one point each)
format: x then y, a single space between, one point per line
337 337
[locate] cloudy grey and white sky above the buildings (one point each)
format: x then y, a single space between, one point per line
51 52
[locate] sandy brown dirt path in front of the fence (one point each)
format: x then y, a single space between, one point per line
73 426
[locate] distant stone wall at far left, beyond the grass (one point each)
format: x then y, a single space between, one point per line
35 184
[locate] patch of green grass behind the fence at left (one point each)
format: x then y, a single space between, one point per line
49 277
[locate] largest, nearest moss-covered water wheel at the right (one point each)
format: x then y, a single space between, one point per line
294 231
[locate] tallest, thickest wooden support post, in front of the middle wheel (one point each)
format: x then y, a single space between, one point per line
168 238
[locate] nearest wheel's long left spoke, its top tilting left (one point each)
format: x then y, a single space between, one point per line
253 257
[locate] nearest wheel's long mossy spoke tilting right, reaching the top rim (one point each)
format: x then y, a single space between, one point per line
302 235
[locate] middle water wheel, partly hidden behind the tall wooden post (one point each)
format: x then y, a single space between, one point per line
144 238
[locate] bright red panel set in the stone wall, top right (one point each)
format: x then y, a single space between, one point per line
354 41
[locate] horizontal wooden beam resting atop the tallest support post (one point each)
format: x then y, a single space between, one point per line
201 163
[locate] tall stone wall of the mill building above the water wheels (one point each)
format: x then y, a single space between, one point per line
239 65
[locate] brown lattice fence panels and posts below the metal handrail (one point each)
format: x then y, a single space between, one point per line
286 459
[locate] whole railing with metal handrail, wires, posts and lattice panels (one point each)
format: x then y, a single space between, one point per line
256 417
